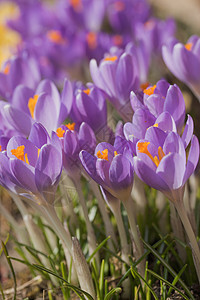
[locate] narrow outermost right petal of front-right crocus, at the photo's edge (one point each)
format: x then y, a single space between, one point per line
193 158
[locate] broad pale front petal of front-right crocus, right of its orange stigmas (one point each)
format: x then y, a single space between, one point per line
171 170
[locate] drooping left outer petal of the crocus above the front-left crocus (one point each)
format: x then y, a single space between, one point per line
20 121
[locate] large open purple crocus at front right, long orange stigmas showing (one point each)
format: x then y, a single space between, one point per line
161 161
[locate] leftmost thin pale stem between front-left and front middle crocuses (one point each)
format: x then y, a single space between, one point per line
90 231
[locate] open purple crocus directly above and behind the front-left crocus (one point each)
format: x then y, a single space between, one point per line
45 105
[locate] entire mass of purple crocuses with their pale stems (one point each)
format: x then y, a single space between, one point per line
45 131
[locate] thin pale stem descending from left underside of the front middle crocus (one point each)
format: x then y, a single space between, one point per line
108 225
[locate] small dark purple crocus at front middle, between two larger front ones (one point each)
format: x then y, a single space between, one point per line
110 168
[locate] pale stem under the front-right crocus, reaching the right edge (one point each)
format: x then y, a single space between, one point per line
190 233
